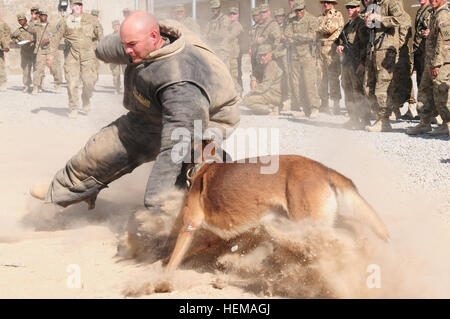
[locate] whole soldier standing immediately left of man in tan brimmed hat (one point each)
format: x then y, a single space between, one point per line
300 35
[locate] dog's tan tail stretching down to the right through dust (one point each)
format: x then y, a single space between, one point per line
358 205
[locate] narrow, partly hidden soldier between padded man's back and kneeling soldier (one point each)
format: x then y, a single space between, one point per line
234 34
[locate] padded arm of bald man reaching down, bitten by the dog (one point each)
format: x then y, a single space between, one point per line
182 104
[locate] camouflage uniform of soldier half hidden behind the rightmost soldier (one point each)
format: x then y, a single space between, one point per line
422 22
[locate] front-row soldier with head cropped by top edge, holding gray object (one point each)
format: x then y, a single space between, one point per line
382 57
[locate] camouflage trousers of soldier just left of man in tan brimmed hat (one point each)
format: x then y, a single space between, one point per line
304 92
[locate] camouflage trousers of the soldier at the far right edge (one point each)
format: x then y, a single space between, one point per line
434 94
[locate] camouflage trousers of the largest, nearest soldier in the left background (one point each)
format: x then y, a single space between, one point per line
76 72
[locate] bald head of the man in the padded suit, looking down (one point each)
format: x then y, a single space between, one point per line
140 35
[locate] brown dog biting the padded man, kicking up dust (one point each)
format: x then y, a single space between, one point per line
230 198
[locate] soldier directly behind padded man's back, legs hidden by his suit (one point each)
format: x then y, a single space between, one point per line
217 32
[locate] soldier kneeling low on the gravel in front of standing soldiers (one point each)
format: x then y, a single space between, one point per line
265 98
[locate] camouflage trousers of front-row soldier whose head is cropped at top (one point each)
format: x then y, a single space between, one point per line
378 81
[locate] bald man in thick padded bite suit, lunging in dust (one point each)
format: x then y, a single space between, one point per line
171 80
